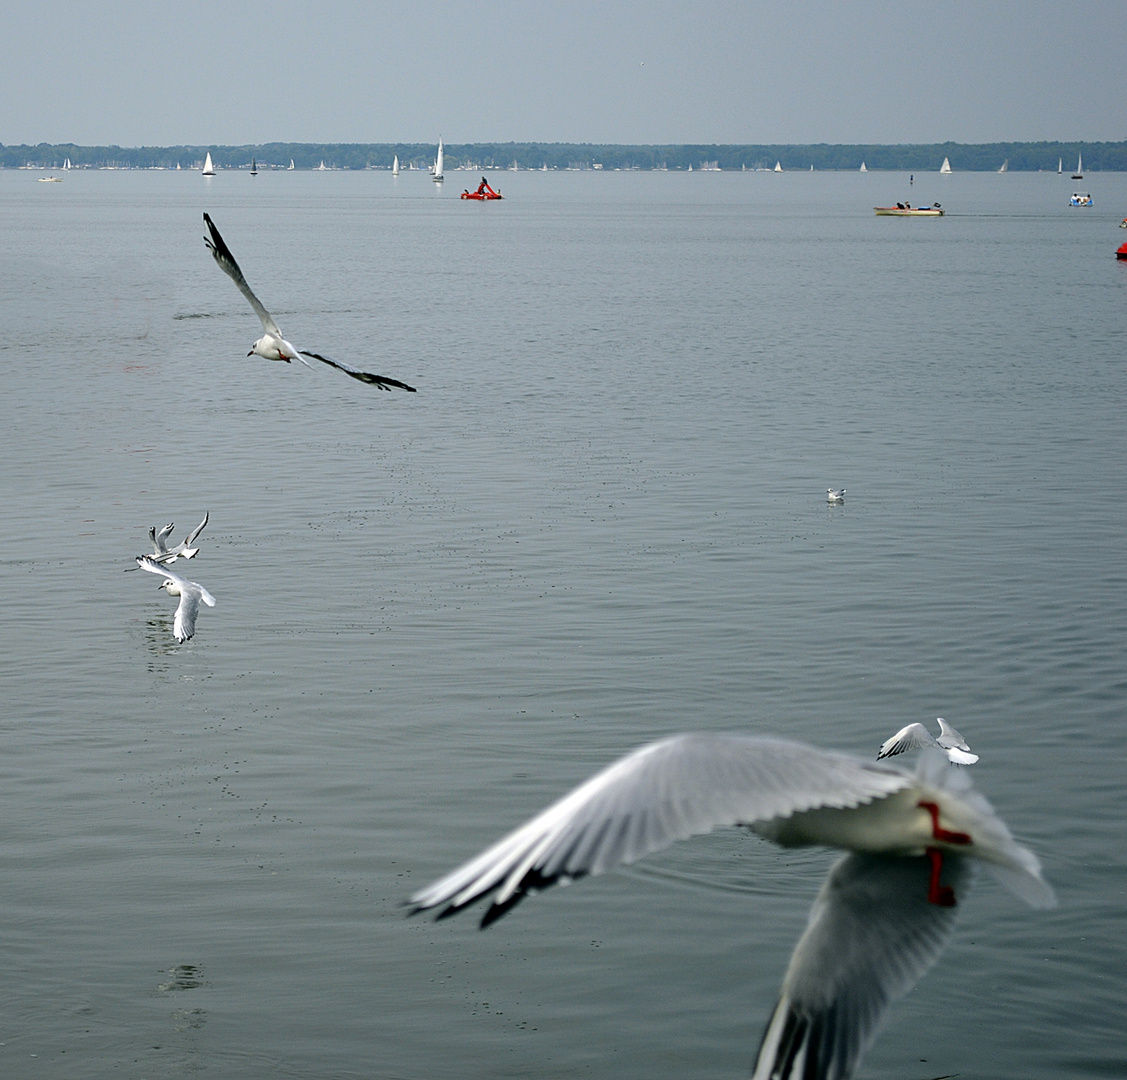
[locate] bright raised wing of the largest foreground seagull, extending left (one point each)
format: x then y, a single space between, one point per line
663 793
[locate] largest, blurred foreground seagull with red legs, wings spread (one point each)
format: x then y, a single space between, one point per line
882 918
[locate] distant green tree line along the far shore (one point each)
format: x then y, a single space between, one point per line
1022 157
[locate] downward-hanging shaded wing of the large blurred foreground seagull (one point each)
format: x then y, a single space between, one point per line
872 937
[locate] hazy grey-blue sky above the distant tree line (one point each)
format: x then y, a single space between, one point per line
239 73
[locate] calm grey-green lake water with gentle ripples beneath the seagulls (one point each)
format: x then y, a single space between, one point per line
601 520
